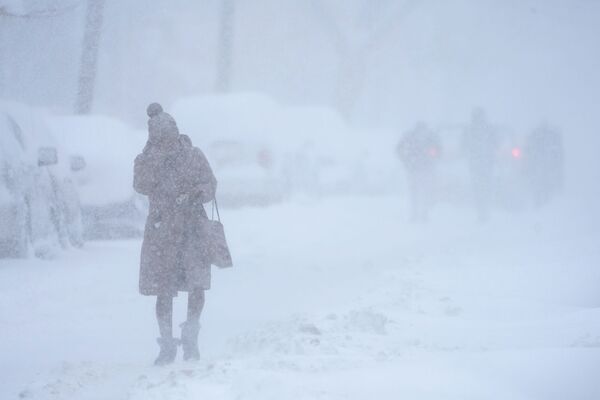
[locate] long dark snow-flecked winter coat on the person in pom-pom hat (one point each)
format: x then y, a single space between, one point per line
177 181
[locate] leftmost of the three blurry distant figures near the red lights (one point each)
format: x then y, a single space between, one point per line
419 151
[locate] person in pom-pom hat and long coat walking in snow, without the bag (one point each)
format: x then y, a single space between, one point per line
177 179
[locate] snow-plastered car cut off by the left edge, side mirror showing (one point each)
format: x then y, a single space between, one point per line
39 205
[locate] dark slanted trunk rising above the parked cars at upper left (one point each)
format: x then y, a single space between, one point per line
89 56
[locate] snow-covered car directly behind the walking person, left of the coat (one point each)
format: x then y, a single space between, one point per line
107 147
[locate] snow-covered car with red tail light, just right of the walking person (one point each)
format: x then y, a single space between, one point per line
236 133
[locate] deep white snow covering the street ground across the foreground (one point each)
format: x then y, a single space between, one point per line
338 299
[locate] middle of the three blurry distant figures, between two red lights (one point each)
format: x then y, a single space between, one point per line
480 147
